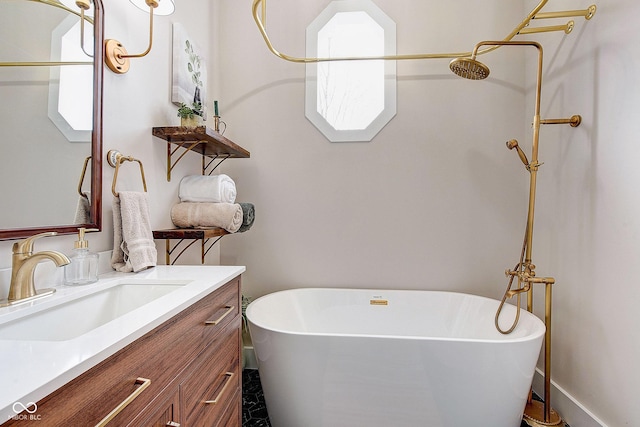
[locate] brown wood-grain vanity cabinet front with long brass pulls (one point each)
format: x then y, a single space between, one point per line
185 372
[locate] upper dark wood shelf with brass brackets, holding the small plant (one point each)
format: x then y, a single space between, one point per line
200 139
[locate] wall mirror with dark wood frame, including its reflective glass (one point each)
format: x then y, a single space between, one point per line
46 80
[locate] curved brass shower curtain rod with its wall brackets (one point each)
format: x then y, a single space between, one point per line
259 12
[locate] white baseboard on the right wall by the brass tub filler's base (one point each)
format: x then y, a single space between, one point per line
571 411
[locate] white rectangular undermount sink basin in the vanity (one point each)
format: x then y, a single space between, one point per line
74 318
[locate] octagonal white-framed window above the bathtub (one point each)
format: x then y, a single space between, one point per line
351 100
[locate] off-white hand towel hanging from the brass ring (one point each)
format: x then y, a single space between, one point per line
133 245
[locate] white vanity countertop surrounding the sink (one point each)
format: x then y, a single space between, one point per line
30 370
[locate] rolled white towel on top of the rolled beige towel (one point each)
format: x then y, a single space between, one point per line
208 189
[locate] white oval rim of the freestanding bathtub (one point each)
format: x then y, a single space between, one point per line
540 328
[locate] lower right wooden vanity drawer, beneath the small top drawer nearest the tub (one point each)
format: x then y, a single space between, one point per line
214 381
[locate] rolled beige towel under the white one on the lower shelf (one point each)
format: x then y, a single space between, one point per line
196 215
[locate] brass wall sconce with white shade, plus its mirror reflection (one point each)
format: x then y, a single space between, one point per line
116 56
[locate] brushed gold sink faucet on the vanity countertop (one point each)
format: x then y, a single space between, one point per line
24 262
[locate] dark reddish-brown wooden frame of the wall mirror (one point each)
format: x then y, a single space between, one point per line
96 144
